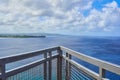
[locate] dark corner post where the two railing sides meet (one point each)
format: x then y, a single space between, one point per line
59 65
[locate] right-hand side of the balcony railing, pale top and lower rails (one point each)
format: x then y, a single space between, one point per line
102 65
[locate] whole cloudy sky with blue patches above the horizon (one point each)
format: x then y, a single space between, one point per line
72 17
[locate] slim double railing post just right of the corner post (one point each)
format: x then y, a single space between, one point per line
68 67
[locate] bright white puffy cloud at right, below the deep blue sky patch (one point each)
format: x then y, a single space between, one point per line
106 19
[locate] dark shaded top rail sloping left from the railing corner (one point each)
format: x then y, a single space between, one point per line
21 56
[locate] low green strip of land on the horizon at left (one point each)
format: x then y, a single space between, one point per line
22 36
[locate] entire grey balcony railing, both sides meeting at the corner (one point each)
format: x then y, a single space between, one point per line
55 64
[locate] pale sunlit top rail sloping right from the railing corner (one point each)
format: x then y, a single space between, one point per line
97 62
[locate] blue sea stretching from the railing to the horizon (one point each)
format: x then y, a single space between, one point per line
105 48
